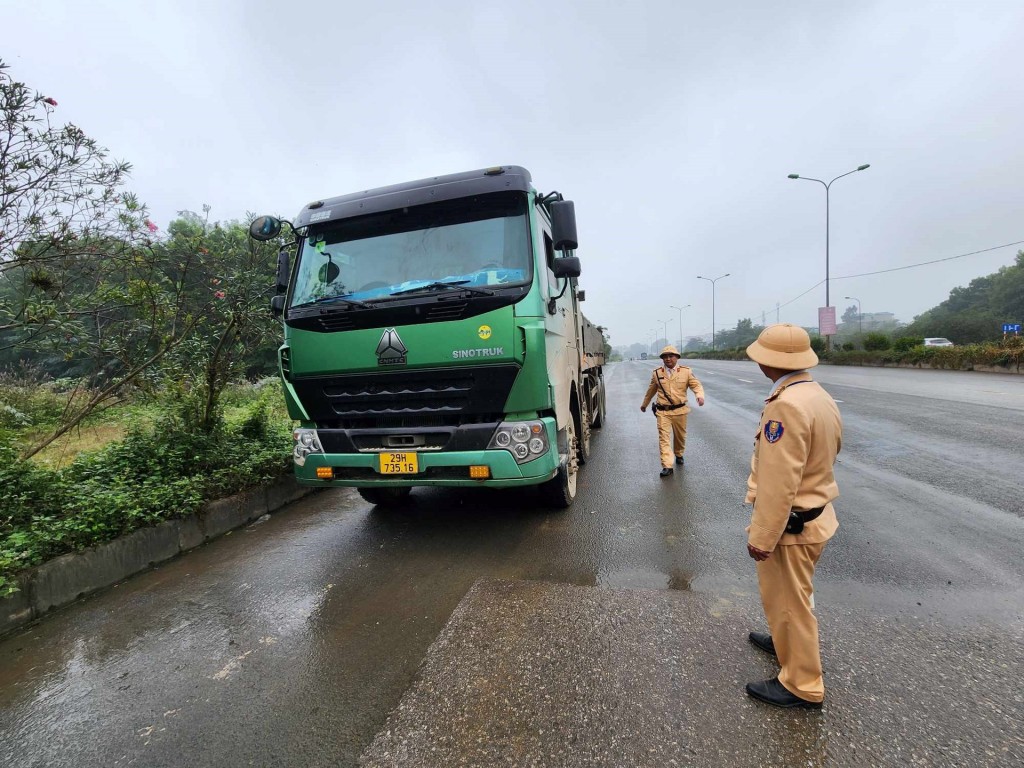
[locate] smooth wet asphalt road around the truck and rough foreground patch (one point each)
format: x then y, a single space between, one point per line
290 643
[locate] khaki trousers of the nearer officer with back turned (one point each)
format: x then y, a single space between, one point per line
786 582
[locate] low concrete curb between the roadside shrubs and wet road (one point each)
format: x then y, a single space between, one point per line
70 577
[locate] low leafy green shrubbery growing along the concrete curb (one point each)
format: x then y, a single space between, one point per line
160 472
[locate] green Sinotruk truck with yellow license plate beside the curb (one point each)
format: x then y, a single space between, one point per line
433 336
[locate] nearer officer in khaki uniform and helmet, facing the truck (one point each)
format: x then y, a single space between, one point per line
792 488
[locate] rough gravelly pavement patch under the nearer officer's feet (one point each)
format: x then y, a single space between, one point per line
539 674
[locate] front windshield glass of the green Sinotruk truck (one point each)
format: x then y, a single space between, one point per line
481 243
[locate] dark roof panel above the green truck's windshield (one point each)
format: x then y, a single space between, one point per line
434 190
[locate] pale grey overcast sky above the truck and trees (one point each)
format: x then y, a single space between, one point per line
672 124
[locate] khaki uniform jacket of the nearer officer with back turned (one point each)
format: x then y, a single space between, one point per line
800 435
